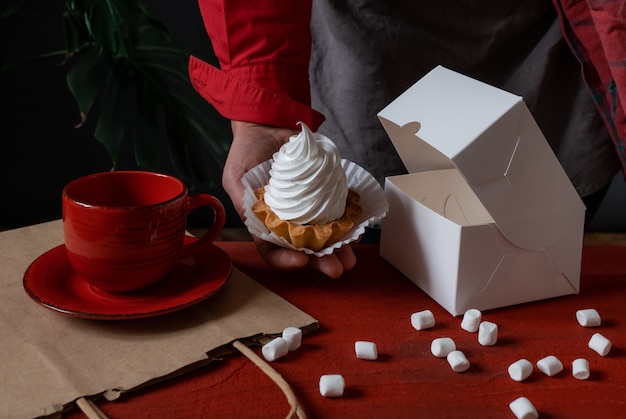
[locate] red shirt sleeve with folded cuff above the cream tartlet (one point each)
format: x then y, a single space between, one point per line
264 48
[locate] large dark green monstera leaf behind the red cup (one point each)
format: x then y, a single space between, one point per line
147 97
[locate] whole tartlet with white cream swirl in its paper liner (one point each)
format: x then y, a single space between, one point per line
307 197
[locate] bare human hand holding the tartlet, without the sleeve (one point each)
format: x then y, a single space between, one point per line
253 144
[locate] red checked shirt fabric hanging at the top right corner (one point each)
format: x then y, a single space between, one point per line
596 32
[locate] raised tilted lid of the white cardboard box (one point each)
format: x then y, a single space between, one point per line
448 120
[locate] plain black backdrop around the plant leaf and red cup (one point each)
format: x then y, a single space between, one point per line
40 151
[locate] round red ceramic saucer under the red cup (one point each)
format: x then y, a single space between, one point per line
51 282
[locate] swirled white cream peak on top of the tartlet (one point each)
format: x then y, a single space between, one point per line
307 182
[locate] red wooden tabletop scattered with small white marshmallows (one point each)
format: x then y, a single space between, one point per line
374 302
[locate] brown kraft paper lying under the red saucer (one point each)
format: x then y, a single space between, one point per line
50 359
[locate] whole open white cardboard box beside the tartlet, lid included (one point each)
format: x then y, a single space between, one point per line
486 217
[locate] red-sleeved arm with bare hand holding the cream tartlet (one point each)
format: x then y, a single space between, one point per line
263 47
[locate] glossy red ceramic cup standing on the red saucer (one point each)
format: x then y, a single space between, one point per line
125 230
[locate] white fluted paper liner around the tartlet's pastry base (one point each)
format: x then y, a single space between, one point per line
373 203
